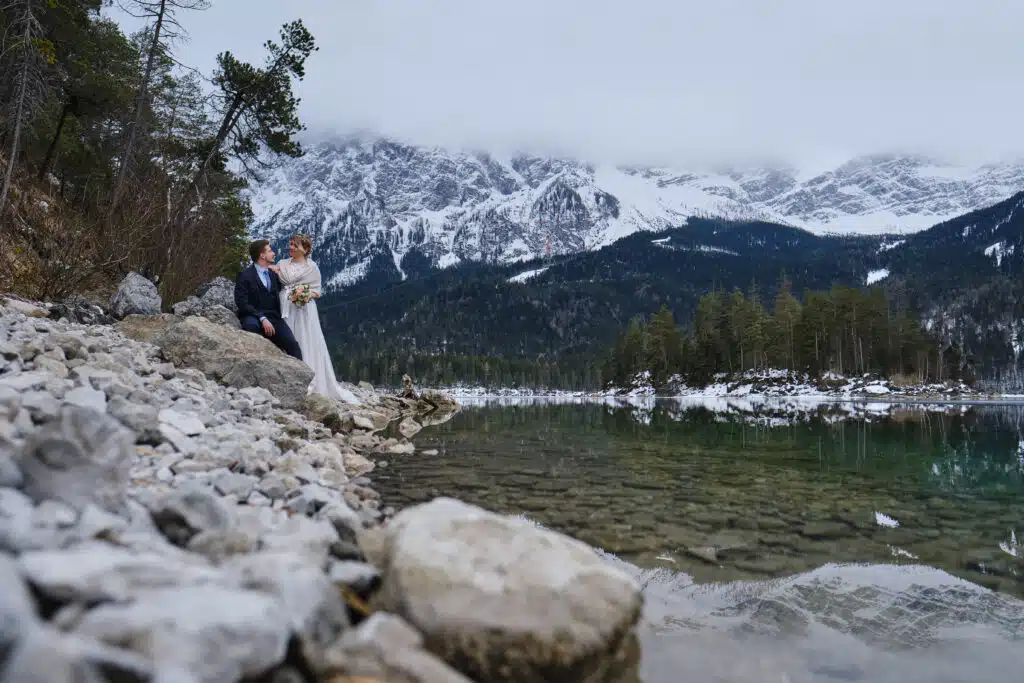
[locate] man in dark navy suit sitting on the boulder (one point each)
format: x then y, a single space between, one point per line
257 291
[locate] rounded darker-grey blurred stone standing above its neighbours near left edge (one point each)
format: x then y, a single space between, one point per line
82 457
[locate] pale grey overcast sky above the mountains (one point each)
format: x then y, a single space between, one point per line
652 81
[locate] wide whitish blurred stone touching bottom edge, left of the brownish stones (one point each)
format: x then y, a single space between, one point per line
214 633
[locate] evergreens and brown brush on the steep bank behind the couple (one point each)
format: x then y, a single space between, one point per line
115 157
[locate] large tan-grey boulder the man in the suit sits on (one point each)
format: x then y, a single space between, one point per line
236 359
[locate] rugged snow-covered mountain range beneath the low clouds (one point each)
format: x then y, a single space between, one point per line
362 199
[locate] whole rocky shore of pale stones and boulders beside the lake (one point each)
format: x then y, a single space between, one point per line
175 508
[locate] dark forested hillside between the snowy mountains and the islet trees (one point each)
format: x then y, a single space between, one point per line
571 309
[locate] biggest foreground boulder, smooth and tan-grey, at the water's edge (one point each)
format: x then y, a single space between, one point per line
500 599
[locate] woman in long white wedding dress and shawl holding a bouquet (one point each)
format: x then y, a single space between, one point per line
305 321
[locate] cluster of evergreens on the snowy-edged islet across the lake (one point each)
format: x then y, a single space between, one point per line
846 330
